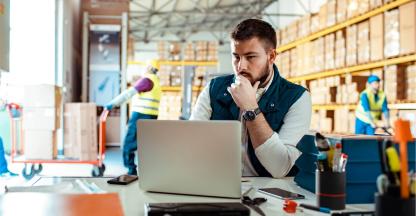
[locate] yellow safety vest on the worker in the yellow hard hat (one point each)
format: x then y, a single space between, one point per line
148 102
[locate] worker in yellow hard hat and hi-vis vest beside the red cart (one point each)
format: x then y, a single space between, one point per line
146 94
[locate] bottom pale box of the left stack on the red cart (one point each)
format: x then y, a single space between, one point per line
39 145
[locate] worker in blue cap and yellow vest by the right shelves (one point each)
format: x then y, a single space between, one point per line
372 104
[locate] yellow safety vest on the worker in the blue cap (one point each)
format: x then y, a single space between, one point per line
375 107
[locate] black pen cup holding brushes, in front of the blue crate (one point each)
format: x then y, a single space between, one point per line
330 189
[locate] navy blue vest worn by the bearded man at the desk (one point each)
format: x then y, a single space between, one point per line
274 104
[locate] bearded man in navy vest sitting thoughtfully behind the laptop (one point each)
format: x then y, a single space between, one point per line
274 112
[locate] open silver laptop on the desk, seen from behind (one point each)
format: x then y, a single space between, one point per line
190 157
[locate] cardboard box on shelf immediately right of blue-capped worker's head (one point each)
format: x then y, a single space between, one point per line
393 77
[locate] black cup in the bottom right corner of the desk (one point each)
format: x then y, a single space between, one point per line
393 205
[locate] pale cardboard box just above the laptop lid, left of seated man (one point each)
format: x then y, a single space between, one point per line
170 106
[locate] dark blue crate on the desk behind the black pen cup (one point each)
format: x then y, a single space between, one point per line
362 169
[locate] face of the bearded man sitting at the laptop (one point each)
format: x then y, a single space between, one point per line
252 60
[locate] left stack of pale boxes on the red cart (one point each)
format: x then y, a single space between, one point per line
41 118
